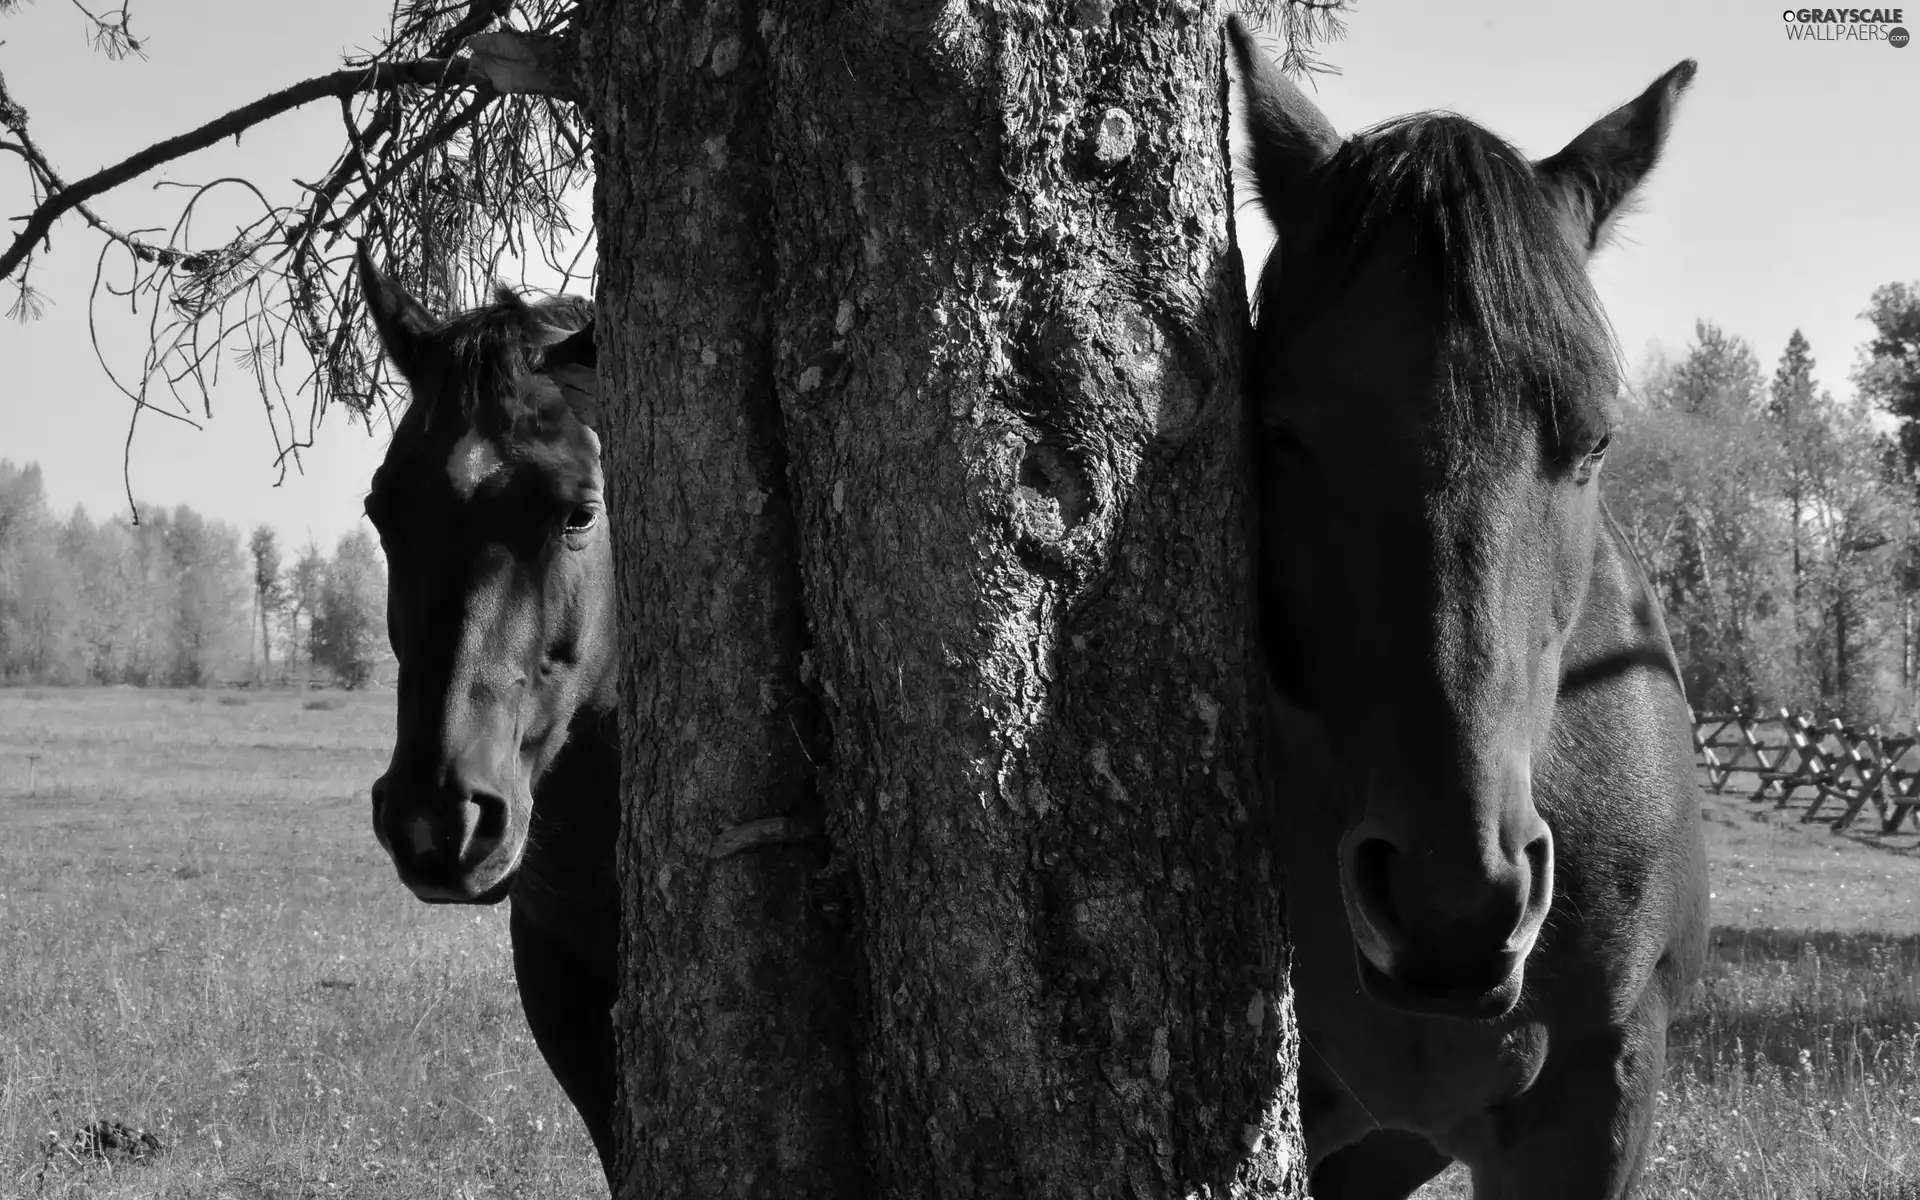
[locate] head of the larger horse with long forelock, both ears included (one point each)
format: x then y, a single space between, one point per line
1435 385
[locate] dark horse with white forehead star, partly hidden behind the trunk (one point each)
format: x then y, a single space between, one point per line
502 613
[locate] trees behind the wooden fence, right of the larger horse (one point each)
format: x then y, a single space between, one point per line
1781 525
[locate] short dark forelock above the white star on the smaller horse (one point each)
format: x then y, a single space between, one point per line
491 350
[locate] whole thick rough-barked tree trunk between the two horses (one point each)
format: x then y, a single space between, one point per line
921 343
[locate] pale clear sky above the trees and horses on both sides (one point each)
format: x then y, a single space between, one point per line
1785 199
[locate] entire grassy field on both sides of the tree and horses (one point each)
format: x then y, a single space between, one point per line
201 938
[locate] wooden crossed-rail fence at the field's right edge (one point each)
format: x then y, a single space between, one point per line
1833 771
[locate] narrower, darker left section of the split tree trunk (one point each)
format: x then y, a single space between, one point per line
734 1022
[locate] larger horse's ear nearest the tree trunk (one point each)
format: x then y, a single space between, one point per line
1291 139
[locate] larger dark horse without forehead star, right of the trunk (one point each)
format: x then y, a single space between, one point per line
1495 861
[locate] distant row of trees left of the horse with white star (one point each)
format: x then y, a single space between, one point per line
180 600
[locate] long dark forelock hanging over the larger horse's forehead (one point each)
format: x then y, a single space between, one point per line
1489 245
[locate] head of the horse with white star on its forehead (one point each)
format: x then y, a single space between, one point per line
500 577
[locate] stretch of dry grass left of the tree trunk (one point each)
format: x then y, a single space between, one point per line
201 938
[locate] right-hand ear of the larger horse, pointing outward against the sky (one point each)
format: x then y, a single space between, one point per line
1598 172
